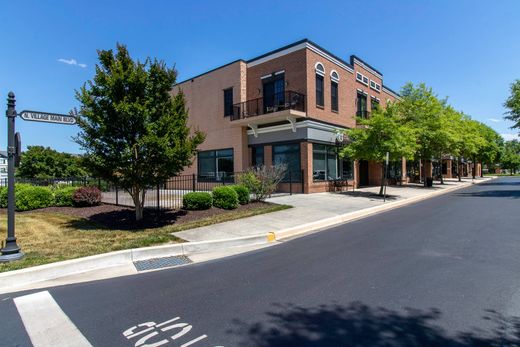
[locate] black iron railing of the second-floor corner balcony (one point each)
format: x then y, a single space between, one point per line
287 100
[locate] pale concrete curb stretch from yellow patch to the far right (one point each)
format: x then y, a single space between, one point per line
351 216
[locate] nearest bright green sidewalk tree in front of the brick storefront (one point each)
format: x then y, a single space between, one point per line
383 132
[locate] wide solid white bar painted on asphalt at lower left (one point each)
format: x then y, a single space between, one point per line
46 323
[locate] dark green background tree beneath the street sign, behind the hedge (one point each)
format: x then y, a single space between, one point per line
44 162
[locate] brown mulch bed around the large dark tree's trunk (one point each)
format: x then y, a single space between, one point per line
123 218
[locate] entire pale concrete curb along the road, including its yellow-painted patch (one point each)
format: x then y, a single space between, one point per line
18 278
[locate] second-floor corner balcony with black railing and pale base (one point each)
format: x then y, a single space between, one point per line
269 109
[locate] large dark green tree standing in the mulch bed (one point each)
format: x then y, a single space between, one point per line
133 129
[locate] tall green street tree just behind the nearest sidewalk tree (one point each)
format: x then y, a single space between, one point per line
424 112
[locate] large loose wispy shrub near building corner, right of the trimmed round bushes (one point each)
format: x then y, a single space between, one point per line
262 181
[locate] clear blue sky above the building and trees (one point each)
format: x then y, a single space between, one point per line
466 50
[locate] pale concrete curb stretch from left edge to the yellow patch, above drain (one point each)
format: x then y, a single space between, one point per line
18 278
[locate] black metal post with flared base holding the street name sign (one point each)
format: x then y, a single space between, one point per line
11 250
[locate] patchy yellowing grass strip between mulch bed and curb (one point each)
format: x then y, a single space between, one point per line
50 237
